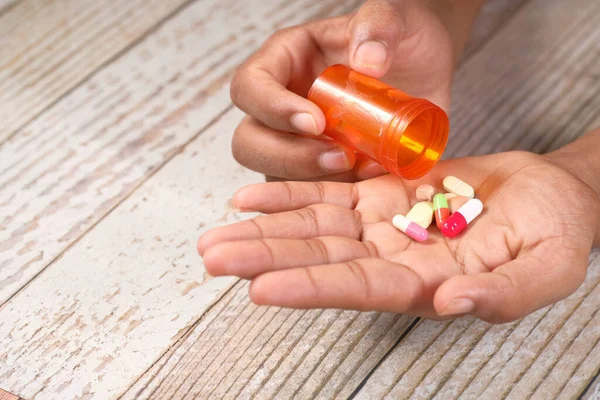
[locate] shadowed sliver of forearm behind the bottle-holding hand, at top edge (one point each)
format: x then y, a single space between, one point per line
458 17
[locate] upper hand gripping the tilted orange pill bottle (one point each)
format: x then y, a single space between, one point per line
403 41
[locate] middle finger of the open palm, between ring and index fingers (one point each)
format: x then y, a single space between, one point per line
250 258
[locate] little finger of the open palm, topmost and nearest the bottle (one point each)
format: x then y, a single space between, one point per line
284 196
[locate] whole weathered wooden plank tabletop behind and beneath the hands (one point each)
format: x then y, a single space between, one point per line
115 127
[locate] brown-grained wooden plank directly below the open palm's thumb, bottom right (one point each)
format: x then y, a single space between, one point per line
468 358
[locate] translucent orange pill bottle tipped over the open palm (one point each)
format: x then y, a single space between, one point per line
406 135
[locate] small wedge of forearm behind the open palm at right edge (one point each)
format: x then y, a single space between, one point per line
582 158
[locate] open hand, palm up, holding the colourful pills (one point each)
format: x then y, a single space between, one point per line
332 245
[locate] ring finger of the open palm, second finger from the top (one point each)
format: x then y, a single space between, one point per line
309 222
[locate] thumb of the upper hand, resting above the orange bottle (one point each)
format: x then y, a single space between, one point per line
376 31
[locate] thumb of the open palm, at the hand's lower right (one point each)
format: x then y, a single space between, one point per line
512 290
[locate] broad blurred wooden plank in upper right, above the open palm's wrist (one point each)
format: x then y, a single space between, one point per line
541 93
